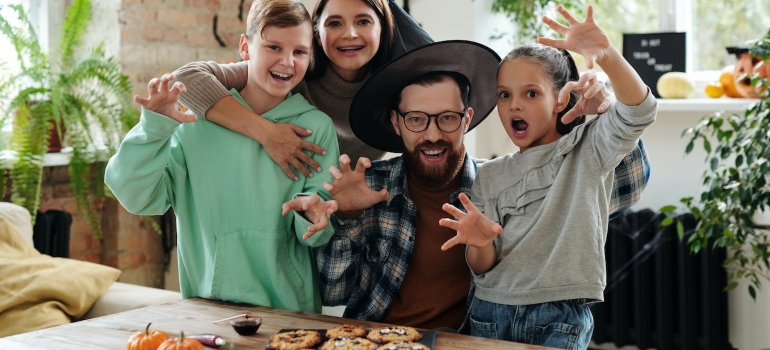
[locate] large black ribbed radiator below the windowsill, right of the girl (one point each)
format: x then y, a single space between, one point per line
658 295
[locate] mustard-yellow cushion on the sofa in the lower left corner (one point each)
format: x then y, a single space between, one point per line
38 291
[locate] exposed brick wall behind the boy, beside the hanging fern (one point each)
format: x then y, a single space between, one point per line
157 37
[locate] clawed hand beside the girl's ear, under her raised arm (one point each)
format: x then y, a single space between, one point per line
595 98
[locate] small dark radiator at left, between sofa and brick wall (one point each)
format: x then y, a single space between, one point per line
51 233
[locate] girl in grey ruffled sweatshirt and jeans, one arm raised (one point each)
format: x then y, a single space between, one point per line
536 227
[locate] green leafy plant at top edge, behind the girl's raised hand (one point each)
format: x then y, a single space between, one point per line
526 14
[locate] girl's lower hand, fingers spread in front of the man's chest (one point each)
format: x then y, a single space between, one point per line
473 228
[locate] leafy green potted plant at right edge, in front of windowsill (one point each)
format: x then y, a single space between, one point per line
736 185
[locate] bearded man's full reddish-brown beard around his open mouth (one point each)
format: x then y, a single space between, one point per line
435 175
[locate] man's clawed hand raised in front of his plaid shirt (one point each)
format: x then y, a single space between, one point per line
350 189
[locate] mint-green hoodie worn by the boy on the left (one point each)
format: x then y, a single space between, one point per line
226 191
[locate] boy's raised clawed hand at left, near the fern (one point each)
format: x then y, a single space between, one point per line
163 100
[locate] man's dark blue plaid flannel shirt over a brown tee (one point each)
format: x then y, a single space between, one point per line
364 263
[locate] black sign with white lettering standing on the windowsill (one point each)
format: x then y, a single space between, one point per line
654 54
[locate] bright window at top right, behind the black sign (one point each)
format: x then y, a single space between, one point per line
711 25
